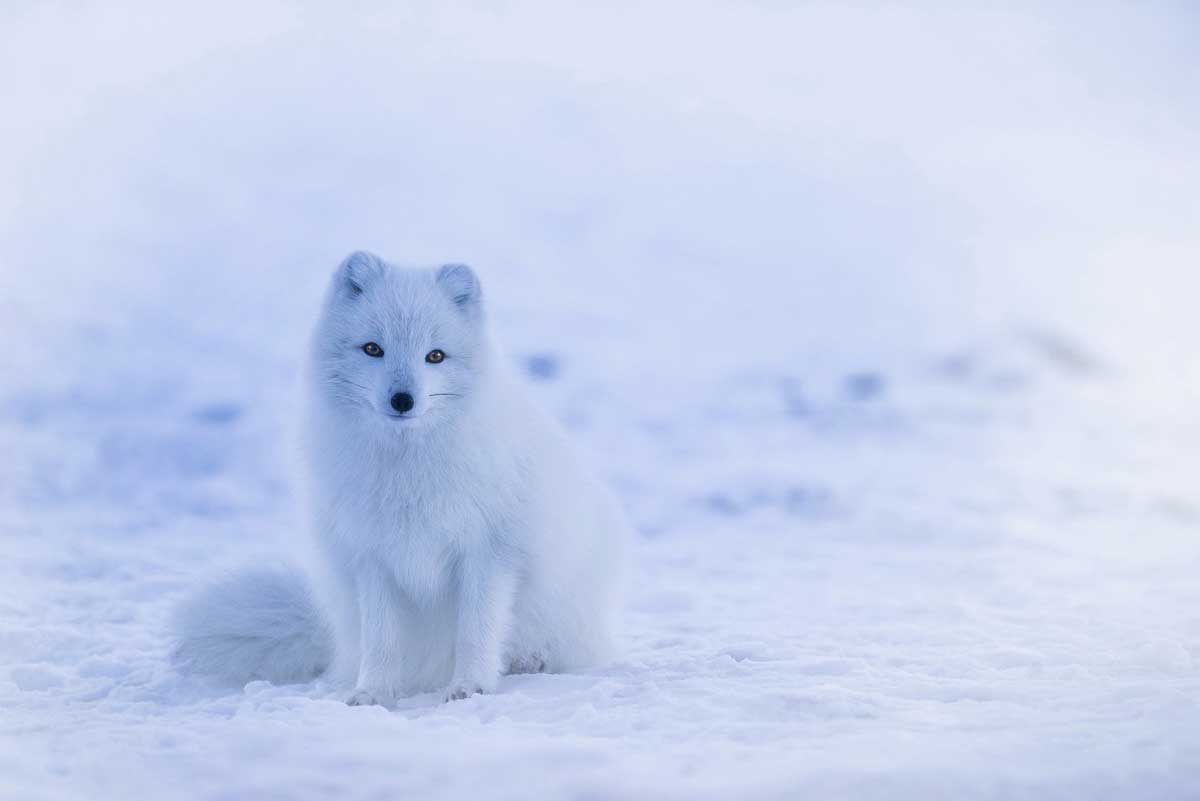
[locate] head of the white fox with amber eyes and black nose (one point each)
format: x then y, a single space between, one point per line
400 347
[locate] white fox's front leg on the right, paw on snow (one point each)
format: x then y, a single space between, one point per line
485 615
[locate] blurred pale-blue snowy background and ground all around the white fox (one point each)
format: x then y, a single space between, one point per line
883 323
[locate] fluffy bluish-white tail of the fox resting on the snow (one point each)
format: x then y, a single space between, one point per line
259 624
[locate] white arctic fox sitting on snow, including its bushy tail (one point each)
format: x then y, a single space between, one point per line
458 537
